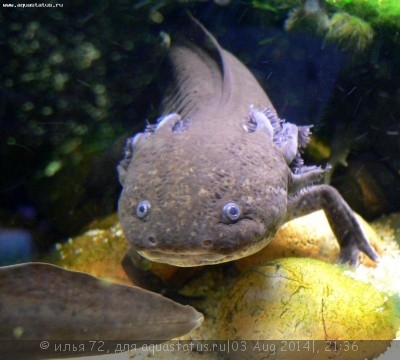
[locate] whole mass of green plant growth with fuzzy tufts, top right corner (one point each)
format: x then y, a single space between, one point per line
348 23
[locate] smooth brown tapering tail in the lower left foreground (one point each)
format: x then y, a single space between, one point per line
48 302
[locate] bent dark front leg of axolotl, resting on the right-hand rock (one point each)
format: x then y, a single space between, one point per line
340 217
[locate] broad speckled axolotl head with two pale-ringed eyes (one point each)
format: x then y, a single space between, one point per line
190 202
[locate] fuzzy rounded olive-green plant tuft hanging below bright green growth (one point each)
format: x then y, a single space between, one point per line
350 32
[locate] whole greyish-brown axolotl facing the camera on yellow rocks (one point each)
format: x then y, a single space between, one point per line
219 172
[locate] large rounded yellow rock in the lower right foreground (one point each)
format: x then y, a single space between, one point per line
307 299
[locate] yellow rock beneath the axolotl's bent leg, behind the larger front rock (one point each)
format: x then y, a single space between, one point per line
308 236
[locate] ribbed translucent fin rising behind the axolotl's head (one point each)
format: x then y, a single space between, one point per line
198 66
